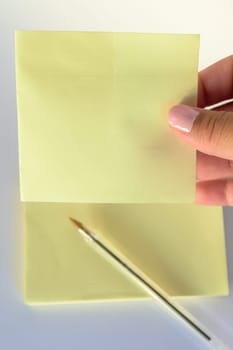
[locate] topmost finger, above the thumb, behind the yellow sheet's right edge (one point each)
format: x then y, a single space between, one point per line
215 82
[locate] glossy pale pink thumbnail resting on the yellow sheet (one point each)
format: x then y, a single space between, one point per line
182 117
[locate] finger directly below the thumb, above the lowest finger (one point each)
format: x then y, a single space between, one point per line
211 168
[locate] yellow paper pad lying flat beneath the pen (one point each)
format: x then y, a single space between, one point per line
180 247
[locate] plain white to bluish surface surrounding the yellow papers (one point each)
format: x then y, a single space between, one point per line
135 325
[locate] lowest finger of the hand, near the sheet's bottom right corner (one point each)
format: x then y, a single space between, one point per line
216 192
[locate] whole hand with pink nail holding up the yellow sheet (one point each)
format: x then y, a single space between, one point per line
210 133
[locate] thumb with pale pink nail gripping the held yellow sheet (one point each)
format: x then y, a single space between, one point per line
208 131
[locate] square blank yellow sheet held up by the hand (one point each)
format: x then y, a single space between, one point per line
92 113
